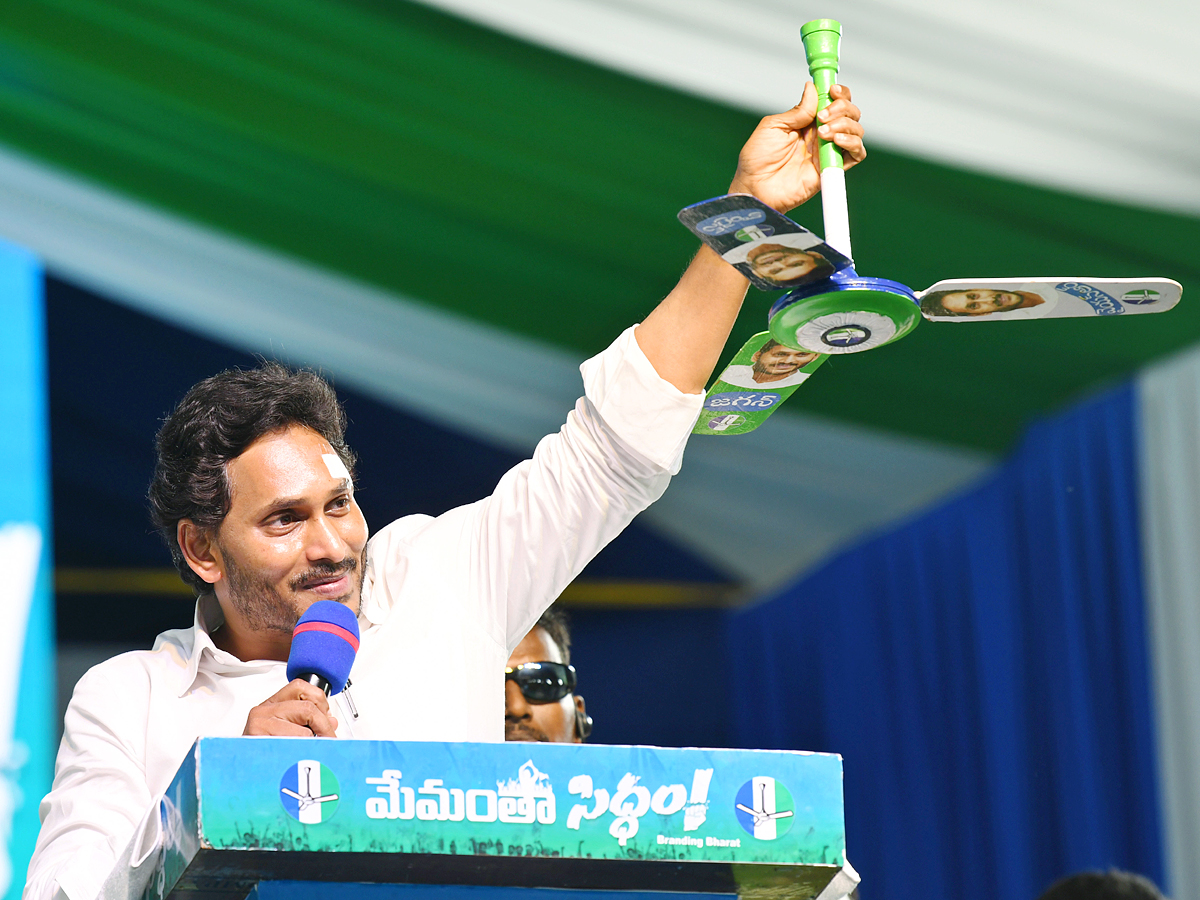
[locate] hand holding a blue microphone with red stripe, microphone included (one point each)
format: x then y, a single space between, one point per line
323 647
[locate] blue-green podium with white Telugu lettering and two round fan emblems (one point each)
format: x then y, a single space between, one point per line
374 820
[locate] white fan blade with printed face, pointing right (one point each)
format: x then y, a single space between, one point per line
993 299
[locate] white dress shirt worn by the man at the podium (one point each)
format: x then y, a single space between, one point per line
445 602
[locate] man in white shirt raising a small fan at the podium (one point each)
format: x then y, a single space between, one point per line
254 491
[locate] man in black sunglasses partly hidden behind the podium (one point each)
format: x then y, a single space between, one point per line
539 685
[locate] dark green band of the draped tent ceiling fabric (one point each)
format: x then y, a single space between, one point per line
536 193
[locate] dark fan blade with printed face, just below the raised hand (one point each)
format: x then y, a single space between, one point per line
770 249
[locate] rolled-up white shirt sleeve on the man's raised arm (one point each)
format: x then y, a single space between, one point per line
553 514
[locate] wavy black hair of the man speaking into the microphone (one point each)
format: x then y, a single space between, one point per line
215 423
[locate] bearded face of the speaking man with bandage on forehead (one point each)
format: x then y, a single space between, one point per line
293 535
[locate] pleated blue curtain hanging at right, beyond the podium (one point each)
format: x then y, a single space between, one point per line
983 670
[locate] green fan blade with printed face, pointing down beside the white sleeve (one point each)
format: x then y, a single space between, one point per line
758 381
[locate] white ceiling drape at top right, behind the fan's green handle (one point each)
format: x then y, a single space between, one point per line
1097 98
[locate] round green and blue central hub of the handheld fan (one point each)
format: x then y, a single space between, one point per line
844 314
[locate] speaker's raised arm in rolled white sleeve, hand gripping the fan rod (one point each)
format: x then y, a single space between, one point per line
620 448
